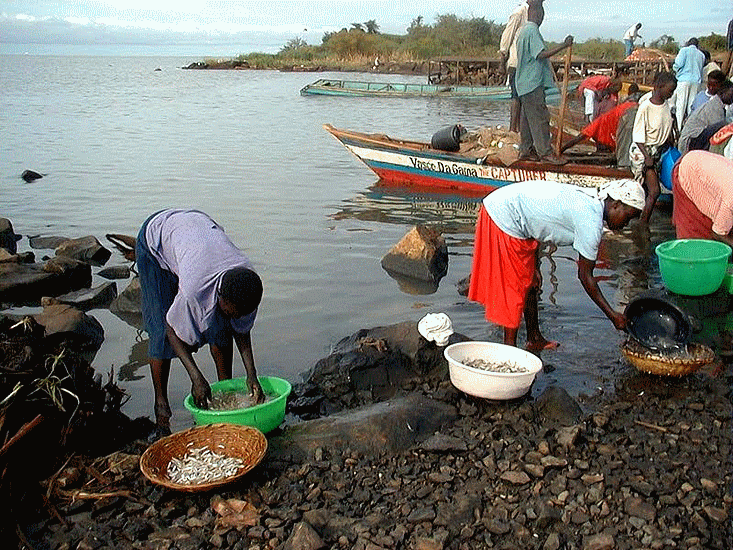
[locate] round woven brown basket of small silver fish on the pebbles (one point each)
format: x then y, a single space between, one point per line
201 458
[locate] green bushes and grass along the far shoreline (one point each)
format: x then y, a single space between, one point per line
450 35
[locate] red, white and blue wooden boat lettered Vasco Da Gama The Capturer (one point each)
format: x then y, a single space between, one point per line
413 163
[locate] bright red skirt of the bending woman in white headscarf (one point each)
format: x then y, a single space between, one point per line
502 272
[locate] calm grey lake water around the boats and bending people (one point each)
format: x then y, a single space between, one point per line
119 139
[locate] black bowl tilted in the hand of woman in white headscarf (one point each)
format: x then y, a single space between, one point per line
657 323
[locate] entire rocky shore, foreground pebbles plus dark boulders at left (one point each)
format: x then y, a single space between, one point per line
378 451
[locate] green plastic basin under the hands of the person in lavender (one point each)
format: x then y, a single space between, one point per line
265 417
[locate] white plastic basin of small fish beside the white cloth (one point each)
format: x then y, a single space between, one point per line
490 370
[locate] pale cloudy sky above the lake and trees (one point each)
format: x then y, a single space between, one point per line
275 22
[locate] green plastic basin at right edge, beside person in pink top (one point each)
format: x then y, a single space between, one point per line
693 267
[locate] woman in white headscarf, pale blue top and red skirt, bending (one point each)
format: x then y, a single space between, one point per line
515 219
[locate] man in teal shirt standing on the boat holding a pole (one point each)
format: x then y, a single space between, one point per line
533 77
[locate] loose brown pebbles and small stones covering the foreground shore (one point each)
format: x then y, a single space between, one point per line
650 468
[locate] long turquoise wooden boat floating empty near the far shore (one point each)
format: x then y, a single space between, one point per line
358 88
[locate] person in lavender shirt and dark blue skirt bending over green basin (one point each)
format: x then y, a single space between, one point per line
197 288
